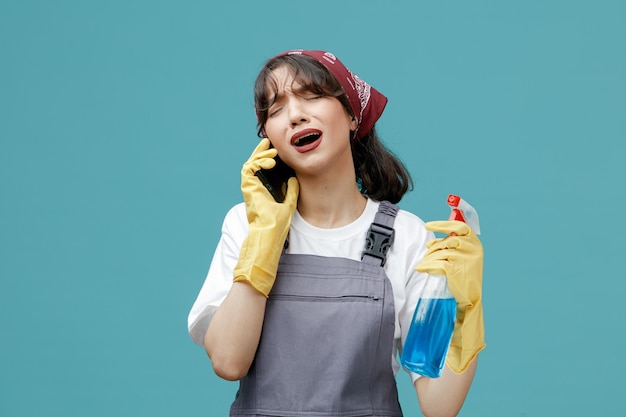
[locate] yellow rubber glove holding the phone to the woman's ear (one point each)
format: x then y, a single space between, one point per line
268 221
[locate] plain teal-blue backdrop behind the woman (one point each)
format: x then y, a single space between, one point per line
124 125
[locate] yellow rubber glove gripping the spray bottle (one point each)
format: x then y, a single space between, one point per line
460 258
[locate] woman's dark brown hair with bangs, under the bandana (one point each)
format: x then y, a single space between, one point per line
380 174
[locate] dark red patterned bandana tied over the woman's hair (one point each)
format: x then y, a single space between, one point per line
366 102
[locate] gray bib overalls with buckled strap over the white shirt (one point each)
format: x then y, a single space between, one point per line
327 340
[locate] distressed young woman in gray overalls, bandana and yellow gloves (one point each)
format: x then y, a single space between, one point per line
308 301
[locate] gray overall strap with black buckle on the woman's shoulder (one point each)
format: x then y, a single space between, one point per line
380 235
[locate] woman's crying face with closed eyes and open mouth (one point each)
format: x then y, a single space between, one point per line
308 130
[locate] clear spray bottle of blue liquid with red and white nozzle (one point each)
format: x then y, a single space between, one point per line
431 329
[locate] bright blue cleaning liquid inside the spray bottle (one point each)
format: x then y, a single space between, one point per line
429 336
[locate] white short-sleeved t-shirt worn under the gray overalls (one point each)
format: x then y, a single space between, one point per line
408 249
